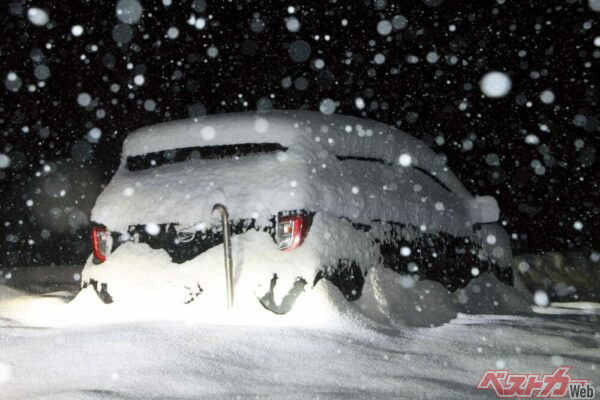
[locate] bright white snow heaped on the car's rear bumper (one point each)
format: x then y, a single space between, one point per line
136 273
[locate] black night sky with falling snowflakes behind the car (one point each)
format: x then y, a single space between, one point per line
56 169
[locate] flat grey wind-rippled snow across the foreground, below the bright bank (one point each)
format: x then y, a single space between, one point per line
172 360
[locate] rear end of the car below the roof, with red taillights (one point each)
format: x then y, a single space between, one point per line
162 201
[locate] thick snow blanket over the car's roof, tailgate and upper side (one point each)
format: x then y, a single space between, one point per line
307 176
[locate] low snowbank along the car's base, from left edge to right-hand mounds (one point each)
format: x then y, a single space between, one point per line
389 301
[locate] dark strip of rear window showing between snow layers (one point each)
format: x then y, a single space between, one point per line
158 158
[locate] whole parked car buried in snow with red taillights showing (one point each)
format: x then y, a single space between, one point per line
309 196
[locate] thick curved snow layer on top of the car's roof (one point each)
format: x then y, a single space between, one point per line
342 135
